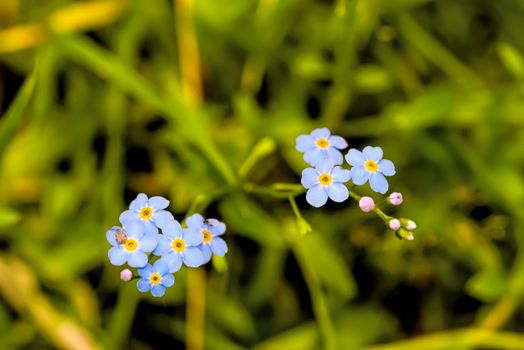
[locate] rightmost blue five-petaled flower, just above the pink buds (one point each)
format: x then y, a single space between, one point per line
369 165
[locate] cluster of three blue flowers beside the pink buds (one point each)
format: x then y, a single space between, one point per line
326 179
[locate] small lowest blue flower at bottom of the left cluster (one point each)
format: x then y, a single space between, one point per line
156 278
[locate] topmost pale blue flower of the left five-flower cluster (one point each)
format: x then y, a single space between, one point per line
149 212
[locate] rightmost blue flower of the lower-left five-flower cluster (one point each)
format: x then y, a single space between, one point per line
210 229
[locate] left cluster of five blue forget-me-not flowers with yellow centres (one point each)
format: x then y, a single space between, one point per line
148 230
